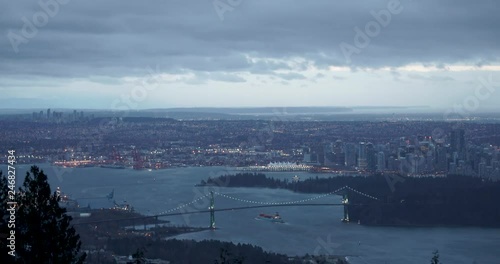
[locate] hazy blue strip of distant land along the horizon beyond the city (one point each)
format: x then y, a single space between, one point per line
324 113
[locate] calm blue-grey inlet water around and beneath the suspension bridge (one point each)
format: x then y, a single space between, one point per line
308 229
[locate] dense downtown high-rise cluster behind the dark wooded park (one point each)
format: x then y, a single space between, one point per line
413 156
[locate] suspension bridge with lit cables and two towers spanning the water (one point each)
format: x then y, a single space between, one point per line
344 191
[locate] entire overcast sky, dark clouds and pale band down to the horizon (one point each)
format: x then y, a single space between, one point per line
193 53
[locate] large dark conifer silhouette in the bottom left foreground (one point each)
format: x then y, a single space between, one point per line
44 232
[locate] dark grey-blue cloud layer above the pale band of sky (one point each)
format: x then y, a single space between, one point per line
118 38
